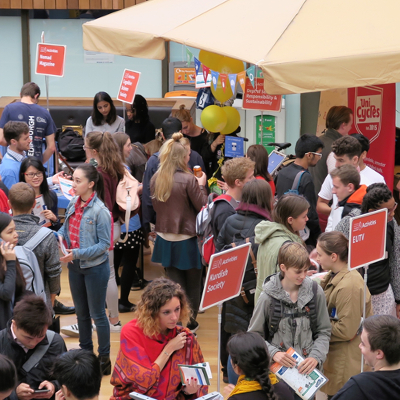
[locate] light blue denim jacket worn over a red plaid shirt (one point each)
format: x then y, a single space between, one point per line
94 232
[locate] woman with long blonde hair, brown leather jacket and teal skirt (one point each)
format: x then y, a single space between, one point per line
177 197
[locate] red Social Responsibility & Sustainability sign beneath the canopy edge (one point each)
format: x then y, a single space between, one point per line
255 98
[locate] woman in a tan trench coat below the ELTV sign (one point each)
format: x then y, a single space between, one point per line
344 291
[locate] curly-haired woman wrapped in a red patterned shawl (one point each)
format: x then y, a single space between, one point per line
153 344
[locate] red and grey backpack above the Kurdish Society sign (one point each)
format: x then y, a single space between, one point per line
205 236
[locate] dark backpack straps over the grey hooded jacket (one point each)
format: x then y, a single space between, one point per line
275 314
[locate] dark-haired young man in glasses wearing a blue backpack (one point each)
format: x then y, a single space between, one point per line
308 153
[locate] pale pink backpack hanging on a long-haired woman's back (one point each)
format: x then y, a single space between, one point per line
126 201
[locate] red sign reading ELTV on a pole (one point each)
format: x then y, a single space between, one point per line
367 239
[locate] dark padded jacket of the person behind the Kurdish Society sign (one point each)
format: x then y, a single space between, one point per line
236 229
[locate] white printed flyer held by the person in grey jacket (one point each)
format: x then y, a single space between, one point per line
304 386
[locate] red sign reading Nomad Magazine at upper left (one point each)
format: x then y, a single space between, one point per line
50 59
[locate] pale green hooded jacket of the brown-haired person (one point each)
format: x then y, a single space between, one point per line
270 236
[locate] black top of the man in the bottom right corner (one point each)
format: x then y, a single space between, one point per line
379 385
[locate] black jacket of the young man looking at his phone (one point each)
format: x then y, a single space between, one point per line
39 373
